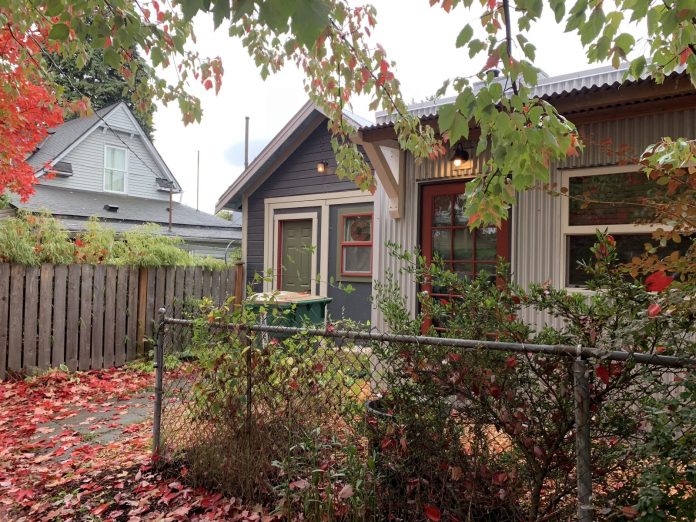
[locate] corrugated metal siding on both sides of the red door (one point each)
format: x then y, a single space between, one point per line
536 235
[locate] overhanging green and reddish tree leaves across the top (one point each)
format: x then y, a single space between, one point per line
331 41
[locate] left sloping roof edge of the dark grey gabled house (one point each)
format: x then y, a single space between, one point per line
282 145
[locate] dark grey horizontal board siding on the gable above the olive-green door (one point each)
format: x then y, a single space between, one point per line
296 176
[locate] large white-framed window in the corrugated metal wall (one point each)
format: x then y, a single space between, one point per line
606 199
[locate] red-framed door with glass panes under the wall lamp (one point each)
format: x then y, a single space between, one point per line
445 234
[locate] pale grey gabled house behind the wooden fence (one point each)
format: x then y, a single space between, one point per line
105 166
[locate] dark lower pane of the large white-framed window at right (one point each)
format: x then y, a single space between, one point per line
627 247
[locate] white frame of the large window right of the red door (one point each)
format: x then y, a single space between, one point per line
584 230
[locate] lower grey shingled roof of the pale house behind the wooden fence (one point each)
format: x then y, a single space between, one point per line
77 206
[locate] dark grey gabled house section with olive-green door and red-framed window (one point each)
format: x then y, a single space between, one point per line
311 231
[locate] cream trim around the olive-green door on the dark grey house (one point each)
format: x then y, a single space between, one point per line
324 202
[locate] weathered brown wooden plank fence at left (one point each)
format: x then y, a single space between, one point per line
94 316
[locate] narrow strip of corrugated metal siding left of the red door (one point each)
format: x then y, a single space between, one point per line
404 231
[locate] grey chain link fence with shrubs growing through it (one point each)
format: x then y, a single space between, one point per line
352 425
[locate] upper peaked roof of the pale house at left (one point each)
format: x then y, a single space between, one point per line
64 138
